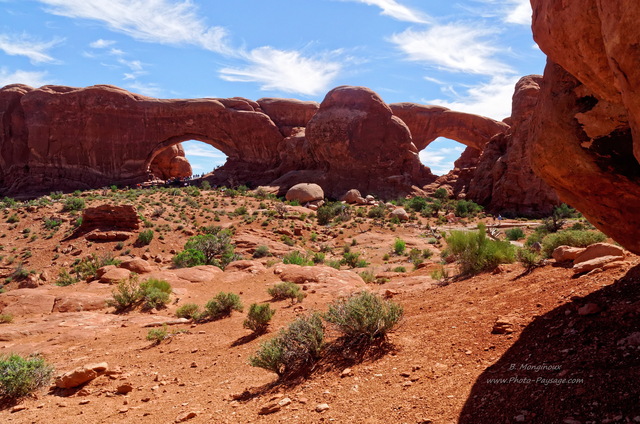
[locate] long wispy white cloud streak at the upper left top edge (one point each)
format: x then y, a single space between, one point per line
159 21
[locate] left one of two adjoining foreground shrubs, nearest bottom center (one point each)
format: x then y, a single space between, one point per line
294 349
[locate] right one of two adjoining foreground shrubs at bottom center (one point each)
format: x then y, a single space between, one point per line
364 316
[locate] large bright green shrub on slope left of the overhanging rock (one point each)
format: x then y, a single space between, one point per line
476 253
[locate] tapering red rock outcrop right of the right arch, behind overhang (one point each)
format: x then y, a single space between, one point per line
504 181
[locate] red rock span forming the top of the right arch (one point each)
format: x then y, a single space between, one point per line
428 122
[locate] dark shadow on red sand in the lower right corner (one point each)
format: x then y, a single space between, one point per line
567 367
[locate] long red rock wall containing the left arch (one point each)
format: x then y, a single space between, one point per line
60 138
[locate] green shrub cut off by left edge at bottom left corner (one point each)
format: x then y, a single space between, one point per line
21 376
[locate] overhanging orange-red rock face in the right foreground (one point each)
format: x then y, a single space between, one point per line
586 139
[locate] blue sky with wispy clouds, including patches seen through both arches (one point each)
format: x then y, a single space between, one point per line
462 54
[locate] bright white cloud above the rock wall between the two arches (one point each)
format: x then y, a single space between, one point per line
286 71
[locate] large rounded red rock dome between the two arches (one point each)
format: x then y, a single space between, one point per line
359 143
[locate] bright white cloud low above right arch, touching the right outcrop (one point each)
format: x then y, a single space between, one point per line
492 99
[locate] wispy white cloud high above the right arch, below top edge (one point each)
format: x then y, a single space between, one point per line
455 47
